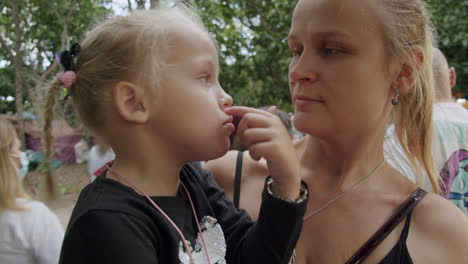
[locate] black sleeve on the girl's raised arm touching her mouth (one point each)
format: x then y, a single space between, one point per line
271 239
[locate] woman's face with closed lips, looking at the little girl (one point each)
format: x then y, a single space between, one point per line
340 76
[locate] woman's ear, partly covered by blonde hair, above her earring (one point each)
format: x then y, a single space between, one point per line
409 69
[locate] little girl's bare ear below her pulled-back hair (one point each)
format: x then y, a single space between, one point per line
129 100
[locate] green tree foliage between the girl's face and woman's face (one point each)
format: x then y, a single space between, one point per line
252 38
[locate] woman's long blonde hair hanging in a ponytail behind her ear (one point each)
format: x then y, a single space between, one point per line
408 31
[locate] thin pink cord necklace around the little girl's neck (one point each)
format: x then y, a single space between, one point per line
182 237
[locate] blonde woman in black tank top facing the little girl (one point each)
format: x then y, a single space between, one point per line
358 66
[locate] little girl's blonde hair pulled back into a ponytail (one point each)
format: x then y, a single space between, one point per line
126 48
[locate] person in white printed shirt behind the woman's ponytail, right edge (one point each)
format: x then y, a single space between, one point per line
450 138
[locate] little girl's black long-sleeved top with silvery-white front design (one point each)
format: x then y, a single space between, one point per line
111 223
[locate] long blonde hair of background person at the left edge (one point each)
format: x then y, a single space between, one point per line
11 186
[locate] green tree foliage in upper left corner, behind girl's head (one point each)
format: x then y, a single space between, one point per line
46 27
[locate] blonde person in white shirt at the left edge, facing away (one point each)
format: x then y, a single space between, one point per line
29 232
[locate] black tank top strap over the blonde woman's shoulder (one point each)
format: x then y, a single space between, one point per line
404 210
